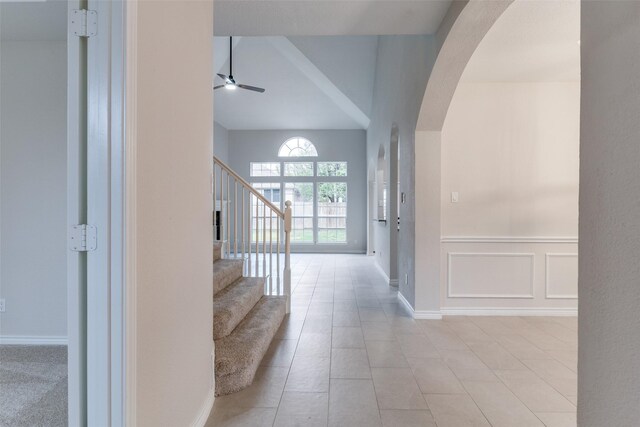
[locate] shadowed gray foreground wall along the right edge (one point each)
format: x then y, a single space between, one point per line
609 283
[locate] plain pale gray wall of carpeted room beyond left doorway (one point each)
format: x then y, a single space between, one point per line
33 279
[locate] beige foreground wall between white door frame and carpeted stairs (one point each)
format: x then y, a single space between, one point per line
174 212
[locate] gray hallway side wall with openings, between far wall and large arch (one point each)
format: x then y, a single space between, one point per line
402 71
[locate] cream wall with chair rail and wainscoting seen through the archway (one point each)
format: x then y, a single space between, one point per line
510 243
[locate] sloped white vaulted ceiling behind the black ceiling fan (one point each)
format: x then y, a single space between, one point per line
310 82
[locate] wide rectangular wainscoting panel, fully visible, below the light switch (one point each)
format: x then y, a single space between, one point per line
490 275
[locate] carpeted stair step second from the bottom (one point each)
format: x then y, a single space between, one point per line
232 304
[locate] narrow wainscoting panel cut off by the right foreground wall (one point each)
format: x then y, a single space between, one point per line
561 278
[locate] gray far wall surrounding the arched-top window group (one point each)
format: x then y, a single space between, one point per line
332 145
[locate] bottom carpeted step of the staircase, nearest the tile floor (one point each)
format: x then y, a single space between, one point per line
239 354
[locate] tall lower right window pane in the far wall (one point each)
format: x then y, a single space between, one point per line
332 212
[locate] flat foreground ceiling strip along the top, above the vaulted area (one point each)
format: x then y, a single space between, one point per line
327 17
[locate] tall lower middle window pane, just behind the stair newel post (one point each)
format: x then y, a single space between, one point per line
301 196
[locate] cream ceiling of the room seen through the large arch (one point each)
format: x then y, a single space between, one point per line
534 40
